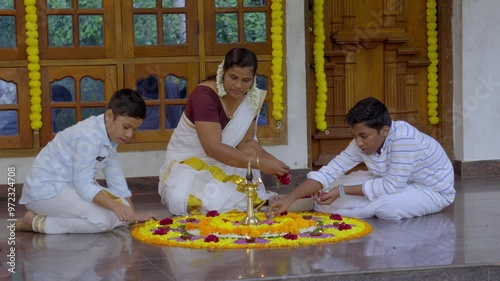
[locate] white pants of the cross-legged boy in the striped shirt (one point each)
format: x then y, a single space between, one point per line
412 202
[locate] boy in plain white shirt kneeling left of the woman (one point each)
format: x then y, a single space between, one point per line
61 192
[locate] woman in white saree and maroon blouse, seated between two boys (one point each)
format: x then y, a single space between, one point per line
215 140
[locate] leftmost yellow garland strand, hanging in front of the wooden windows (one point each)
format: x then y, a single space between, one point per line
33 64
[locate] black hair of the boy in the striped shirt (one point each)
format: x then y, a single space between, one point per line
371 112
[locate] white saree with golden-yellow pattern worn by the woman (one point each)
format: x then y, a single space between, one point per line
191 182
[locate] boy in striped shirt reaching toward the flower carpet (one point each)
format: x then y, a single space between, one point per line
409 173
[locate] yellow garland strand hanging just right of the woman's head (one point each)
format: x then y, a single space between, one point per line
277 58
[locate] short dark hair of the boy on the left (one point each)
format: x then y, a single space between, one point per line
127 102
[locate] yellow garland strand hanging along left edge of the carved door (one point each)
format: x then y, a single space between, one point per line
319 65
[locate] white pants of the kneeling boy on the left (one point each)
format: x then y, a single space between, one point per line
67 212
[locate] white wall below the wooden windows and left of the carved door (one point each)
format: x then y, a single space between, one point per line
295 154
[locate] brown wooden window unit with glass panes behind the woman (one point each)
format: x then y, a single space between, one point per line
91 48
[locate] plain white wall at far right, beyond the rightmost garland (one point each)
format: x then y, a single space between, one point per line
477 97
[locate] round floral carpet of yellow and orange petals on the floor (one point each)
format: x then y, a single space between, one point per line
224 231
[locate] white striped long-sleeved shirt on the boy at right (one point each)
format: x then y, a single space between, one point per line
407 157
